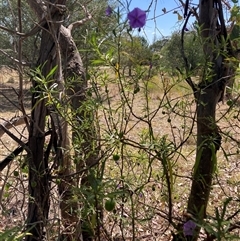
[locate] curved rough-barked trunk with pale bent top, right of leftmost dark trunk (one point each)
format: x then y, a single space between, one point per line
83 131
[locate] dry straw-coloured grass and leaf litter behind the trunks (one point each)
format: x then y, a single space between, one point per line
147 206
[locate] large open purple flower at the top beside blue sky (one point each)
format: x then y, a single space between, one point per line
137 18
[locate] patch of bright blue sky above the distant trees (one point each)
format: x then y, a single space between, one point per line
163 24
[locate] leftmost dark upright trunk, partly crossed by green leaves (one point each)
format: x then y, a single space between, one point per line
39 183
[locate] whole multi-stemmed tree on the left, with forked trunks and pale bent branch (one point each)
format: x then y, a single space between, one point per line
58 51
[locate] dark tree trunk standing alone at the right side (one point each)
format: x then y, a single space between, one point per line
209 92
